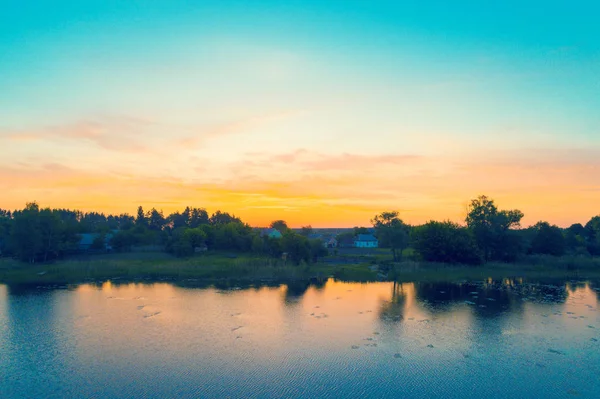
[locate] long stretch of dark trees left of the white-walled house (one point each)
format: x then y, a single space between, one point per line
36 234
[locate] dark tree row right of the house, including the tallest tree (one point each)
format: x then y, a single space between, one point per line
489 234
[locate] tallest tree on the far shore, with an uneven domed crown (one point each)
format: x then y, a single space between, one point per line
491 228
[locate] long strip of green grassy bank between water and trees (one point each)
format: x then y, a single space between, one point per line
131 267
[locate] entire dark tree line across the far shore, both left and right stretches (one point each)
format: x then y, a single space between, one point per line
36 234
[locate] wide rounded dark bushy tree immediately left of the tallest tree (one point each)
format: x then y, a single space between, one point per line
445 242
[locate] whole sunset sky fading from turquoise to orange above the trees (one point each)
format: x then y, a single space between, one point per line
315 112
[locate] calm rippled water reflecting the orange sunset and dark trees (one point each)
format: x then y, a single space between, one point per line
491 339
